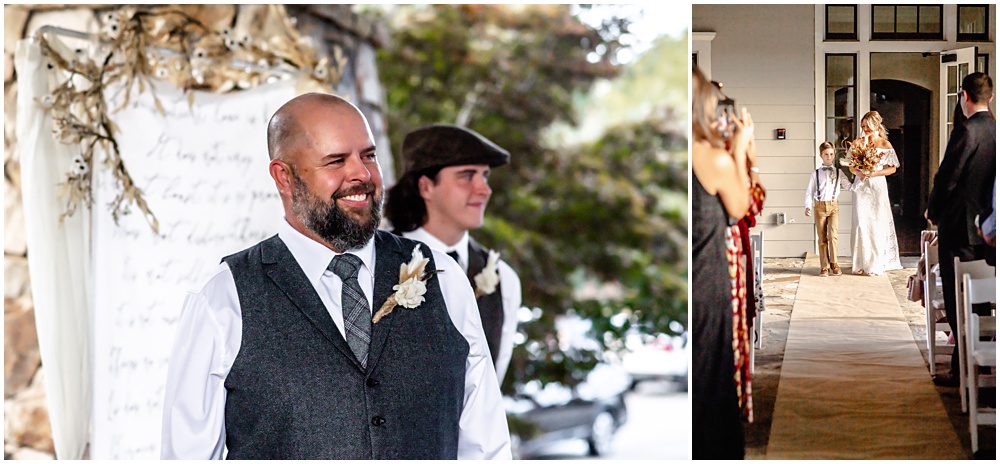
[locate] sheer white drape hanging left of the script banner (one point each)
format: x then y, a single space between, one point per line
57 259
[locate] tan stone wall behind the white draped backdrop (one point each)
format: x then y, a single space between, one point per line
27 433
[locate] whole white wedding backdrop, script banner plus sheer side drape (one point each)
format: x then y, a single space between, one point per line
107 296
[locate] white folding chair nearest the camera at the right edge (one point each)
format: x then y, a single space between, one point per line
978 352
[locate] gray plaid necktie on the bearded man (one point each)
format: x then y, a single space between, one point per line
357 315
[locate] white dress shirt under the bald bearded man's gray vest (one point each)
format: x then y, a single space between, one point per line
209 334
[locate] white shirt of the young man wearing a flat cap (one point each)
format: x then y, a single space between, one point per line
510 291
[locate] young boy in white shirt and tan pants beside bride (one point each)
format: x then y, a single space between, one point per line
821 195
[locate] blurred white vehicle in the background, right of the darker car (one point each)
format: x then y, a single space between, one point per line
657 357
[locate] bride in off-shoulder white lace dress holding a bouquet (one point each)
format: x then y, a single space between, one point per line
875 247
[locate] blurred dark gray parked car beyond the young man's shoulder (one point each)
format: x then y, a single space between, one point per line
592 411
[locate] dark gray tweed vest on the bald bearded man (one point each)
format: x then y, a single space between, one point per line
295 390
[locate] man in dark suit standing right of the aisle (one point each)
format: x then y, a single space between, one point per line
962 189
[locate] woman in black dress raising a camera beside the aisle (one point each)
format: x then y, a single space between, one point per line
719 195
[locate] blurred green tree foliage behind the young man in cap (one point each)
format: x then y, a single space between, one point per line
610 212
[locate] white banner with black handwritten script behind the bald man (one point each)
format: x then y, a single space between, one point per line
204 173
